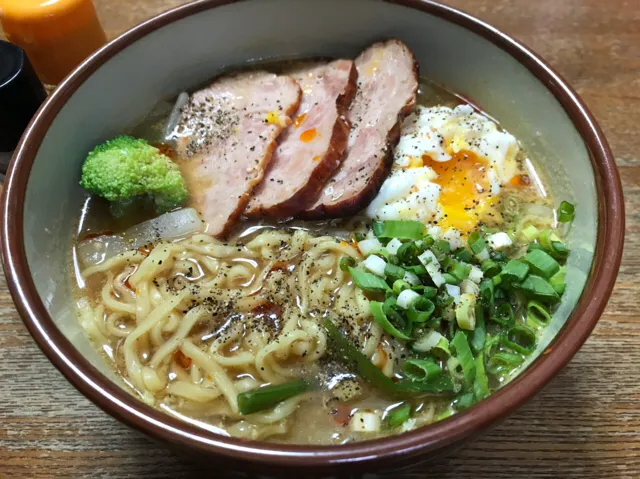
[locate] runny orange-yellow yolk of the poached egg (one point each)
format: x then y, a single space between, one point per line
465 192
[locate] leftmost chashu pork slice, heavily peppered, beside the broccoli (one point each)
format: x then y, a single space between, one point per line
226 136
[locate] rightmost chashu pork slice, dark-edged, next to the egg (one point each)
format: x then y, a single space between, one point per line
387 90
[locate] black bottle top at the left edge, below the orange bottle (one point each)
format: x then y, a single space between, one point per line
21 93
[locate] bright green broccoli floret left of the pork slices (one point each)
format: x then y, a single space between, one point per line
125 168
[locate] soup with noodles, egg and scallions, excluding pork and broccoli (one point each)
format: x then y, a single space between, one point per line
334 330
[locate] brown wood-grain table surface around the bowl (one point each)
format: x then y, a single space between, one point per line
586 424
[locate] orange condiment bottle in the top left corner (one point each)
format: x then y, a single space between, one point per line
57 35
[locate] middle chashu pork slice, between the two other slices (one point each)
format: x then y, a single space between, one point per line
312 147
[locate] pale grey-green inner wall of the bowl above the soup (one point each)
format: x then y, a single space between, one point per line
187 52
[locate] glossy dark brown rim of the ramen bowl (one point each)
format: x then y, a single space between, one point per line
128 409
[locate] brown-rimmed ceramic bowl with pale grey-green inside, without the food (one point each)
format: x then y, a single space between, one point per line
118 85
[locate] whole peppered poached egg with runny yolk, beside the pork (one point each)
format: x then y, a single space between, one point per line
448 169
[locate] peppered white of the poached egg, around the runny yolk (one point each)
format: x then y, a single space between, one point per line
440 132
